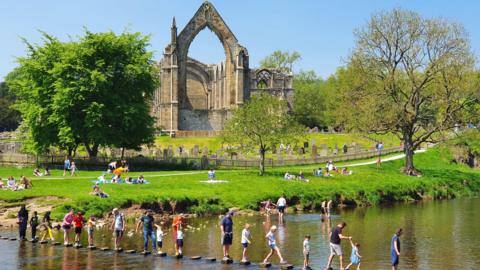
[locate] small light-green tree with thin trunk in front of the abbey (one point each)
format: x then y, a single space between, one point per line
262 123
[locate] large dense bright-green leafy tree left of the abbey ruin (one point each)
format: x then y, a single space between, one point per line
95 91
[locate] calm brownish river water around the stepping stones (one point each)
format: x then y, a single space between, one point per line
437 235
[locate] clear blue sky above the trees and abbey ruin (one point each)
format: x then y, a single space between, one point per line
322 31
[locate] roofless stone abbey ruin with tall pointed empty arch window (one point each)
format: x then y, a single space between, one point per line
199 96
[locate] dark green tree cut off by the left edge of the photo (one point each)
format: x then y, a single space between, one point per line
9 117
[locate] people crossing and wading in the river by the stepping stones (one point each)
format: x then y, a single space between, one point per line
153 233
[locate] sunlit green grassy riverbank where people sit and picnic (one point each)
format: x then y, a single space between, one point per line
366 186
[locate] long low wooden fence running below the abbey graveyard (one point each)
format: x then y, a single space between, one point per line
159 163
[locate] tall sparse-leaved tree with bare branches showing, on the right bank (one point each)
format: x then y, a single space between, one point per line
413 77
